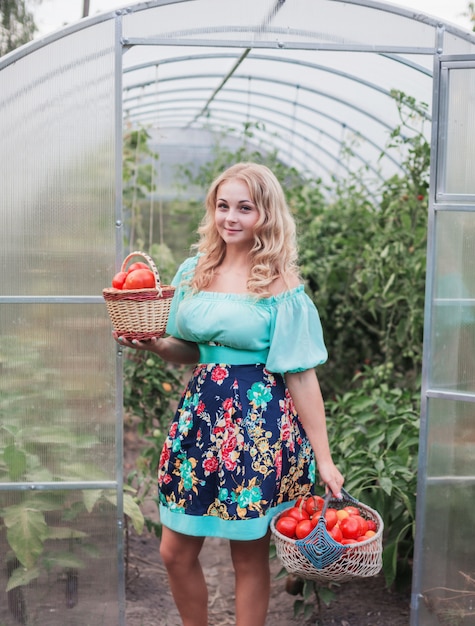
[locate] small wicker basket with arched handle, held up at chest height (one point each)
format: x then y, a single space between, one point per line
139 313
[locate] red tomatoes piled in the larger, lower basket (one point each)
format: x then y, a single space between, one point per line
345 525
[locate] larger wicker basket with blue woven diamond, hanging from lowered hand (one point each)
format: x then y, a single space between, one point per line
319 557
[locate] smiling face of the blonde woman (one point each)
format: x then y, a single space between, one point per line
235 213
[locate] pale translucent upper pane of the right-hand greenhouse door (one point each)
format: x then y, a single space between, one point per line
460 151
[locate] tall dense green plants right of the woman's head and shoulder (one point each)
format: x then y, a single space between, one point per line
365 265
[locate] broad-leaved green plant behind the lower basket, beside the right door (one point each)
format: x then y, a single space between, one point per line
374 430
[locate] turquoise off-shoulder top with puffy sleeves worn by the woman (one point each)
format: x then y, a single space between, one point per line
283 332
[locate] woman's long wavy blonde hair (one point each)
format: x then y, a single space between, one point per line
274 253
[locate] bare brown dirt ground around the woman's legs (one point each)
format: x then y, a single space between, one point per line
363 602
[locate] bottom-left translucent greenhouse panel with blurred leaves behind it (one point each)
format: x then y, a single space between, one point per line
74 575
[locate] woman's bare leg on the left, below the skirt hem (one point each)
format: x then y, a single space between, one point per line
180 555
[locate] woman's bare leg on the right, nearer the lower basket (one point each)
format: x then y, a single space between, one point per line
251 567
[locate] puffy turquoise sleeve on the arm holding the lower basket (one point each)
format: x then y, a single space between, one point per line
297 342
